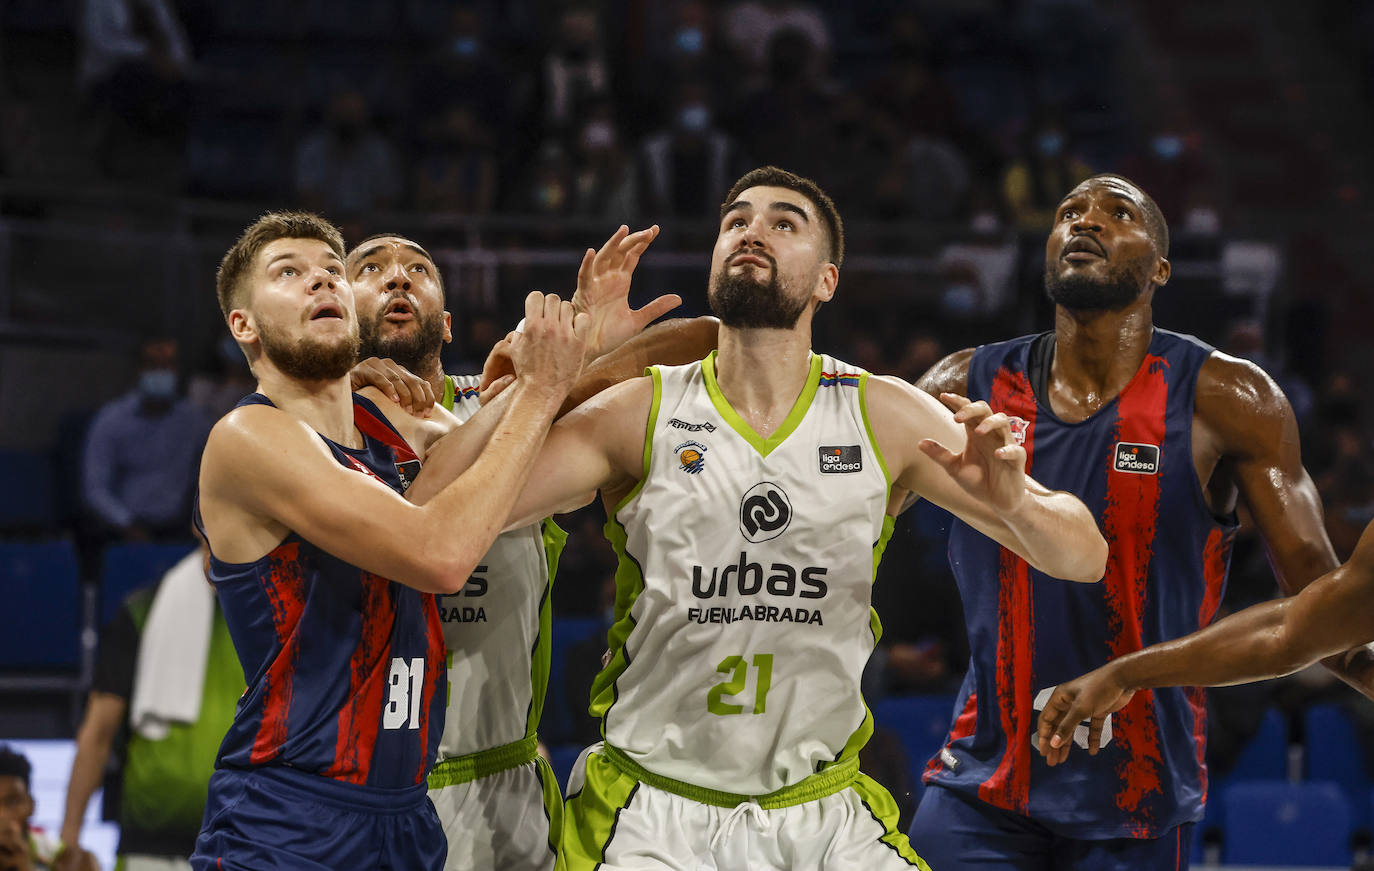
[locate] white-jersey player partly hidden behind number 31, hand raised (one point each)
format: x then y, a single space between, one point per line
497 798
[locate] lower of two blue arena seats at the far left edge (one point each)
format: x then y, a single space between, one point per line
43 594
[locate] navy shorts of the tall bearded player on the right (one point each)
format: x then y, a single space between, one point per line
953 833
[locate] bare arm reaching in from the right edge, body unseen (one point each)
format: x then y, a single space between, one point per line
1331 616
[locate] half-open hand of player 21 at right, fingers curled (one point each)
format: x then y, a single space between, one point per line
993 466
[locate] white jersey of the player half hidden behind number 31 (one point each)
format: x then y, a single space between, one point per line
497 631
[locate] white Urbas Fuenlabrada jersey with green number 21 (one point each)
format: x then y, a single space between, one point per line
743 616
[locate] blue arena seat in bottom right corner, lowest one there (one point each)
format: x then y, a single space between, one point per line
1281 824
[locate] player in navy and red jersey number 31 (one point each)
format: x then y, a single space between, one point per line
330 609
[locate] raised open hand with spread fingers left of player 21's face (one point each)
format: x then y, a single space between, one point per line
604 292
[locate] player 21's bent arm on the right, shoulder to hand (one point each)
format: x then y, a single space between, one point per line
969 464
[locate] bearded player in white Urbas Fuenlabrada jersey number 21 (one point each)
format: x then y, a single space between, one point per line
750 504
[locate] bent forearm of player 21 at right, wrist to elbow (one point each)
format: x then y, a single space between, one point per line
1060 536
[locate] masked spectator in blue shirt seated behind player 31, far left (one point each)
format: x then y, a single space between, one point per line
142 453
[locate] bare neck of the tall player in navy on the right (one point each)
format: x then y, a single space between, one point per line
1097 354
